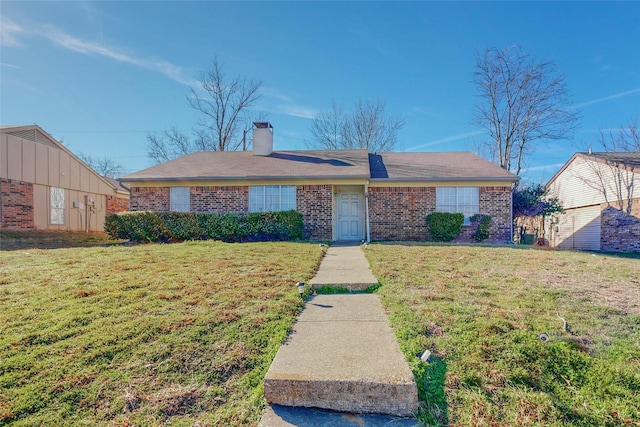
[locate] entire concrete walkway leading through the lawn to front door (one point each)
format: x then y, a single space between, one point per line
342 356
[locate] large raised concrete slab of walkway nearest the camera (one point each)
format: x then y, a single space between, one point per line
342 355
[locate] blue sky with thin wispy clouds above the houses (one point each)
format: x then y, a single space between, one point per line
101 75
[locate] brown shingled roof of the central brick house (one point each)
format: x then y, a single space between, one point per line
324 164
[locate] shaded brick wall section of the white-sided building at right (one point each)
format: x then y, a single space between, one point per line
619 231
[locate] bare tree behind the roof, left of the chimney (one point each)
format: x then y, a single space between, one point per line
223 103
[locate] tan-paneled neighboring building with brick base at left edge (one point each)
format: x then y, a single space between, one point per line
45 186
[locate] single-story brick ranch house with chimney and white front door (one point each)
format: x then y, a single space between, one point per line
343 195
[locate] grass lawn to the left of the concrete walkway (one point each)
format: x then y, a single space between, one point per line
178 334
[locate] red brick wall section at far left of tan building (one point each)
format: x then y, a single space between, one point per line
16 204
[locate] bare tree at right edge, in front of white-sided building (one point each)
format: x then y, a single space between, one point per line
613 172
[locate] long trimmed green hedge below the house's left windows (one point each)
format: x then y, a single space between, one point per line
179 226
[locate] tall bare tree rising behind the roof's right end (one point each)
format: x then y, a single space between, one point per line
522 102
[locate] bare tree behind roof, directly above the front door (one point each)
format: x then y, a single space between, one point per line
366 128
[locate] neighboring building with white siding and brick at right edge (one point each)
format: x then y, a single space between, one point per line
595 190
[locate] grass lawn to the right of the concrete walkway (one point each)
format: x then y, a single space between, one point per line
480 311
